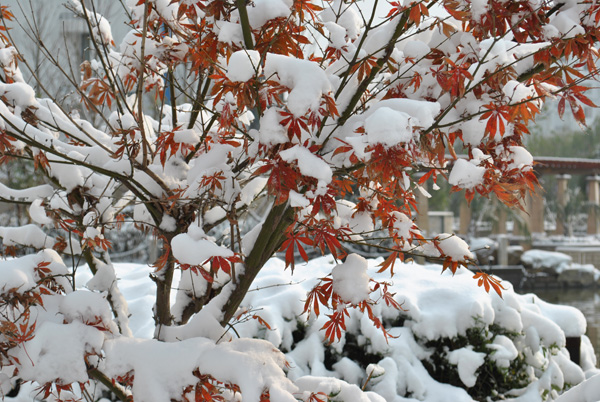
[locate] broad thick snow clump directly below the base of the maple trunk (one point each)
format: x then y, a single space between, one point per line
254 365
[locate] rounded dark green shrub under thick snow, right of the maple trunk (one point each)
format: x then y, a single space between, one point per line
451 341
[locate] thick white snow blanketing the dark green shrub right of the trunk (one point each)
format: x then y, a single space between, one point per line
437 307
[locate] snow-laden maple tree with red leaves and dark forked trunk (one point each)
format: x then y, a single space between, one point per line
231 130
